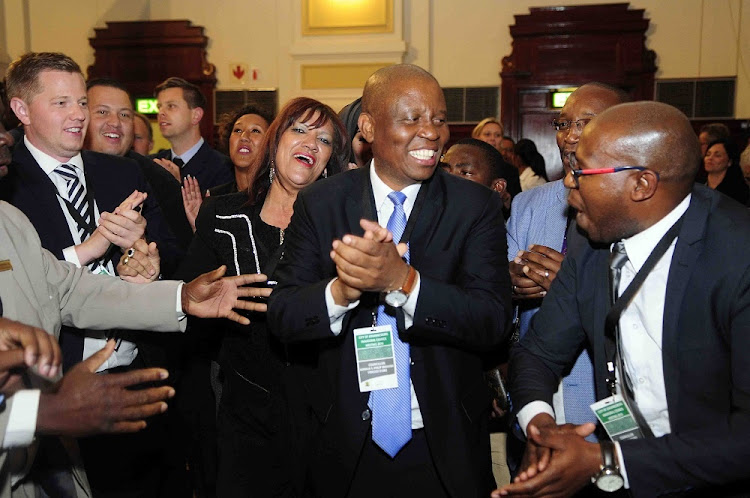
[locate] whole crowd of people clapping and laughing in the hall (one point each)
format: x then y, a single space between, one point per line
336 307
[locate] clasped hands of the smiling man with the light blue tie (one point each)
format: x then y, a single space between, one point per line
370 263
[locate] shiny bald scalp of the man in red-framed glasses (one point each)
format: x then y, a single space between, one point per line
651 134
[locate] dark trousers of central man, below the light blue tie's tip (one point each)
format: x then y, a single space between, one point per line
411 473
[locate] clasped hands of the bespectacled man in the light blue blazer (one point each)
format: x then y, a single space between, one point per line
532 271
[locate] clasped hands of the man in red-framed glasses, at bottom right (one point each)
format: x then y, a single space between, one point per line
558 461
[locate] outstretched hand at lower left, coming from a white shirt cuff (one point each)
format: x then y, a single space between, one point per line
85 403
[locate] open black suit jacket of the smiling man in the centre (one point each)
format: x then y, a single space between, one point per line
458 247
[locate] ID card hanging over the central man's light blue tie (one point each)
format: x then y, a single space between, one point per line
376 361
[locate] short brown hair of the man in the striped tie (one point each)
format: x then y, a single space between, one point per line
22 78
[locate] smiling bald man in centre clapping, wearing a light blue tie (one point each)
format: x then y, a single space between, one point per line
440 296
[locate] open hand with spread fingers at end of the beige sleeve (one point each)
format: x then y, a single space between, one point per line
211 296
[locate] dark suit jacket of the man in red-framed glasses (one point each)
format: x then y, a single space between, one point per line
705 341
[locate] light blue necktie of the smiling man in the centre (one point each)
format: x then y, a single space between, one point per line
391 408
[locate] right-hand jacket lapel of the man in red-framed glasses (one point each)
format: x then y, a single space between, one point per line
688 248
